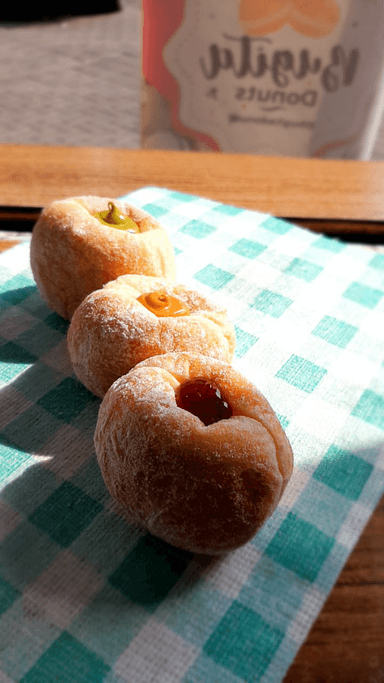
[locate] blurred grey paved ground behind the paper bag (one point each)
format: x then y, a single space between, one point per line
76 80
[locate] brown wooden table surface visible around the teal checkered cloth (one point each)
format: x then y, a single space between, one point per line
346 644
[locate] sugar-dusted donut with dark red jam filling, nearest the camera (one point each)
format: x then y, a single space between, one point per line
193 451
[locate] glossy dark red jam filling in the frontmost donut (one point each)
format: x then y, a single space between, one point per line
203 399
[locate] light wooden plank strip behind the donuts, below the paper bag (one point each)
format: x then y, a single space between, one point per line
32 176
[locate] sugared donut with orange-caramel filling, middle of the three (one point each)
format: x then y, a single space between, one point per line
135 317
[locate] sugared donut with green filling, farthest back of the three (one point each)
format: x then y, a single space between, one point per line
80 244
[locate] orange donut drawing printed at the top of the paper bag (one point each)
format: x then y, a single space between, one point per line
315 19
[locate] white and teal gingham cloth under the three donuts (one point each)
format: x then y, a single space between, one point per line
87 598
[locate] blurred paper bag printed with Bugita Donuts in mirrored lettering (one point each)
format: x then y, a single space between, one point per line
286 77
